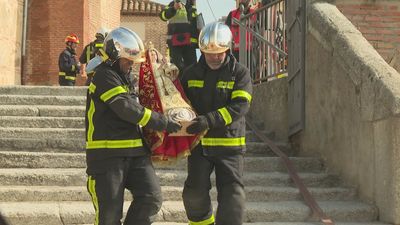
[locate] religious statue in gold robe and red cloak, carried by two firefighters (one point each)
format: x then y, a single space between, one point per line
160 91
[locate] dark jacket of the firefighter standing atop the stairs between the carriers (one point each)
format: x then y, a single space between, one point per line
182 25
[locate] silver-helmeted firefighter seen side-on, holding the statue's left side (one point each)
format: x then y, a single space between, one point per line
116 155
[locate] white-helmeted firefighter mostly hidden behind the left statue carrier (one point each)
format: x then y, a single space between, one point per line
90 50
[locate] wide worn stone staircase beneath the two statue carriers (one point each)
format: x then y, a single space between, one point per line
43 180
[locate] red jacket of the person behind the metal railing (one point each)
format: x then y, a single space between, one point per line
235 28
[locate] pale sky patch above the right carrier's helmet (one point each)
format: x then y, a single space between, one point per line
219 7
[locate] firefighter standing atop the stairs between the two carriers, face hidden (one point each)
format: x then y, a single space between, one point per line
182 32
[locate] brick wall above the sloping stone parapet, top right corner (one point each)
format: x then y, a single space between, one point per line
378 21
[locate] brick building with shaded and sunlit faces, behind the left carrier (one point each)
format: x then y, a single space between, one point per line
51 21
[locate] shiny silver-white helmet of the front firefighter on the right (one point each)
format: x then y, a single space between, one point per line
215 37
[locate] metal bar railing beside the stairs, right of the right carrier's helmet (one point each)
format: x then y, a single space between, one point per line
265 51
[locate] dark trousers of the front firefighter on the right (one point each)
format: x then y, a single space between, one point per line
231 196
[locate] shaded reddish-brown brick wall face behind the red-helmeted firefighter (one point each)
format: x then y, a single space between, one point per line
48 24
